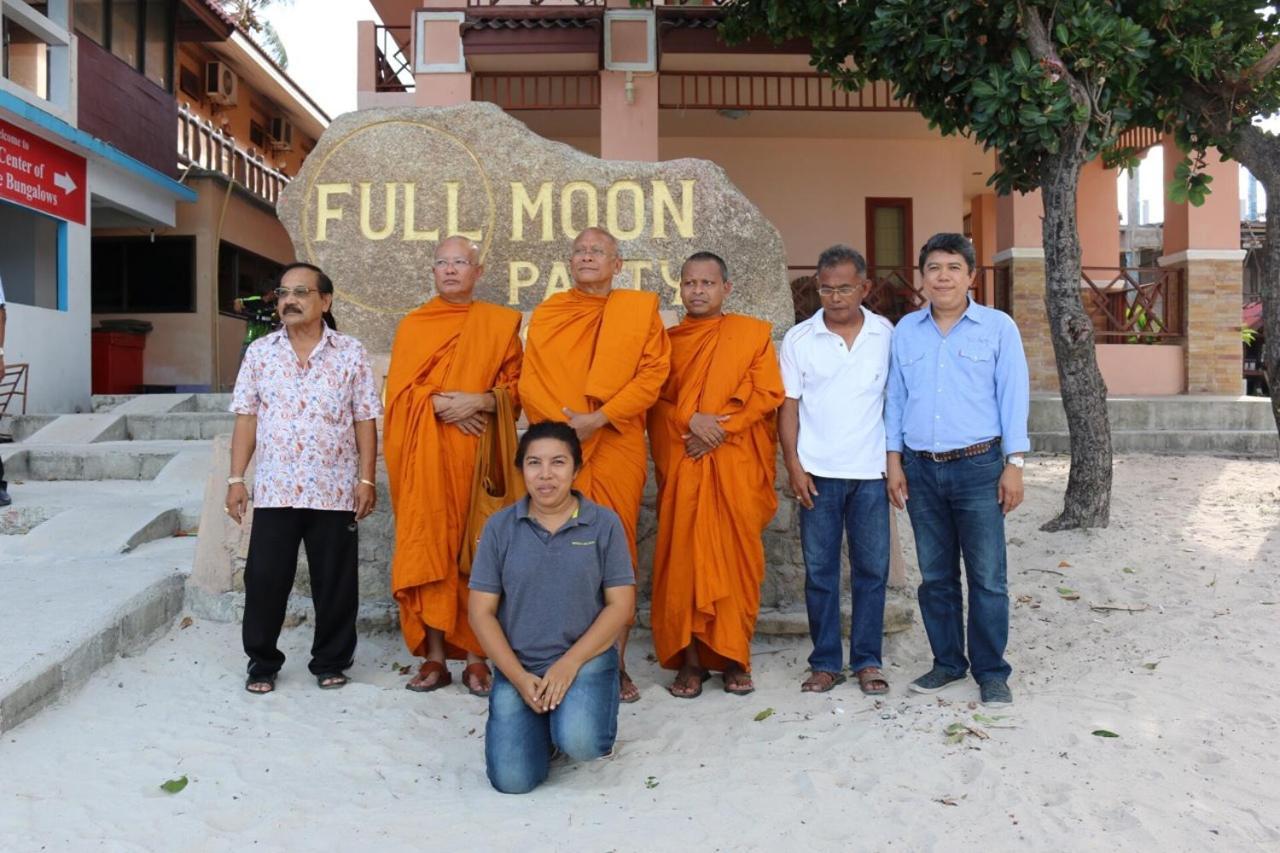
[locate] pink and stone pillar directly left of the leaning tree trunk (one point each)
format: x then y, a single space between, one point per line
1021 254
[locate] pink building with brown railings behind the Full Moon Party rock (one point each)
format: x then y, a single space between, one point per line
825 166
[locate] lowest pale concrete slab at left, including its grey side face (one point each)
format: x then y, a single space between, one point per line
62 621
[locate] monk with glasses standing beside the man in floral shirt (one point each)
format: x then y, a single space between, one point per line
454 372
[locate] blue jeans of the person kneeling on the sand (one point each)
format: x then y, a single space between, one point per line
518 742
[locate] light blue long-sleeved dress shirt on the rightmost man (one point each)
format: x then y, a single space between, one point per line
958 390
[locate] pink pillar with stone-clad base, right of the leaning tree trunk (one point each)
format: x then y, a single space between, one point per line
1204 244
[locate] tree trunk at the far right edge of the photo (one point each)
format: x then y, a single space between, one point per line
1260 153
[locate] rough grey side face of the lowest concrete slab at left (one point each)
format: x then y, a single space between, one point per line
132 627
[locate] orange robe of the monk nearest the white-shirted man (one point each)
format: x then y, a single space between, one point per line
712 512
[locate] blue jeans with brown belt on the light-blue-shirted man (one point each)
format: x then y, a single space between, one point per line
954 513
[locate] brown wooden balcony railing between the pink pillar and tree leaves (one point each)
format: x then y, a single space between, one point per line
772 92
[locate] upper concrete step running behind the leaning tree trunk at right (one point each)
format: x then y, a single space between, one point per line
1164 414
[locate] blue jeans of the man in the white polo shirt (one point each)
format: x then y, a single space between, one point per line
858 509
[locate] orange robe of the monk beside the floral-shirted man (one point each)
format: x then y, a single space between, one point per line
440 346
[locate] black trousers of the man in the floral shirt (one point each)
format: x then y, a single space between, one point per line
332 546
